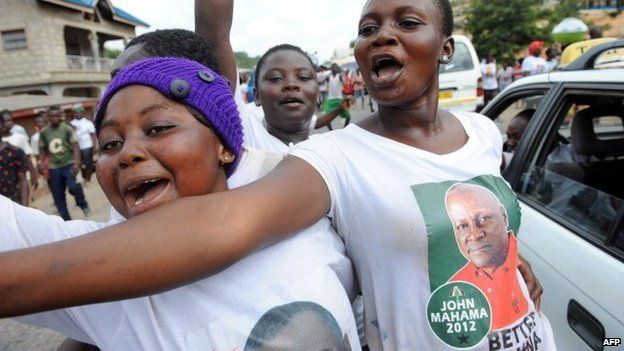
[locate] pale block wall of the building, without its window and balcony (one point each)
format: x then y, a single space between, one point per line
44 62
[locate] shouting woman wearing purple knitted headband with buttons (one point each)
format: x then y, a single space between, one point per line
168 129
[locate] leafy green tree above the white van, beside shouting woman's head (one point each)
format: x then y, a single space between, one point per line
505 27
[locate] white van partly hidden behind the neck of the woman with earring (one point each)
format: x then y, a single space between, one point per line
460 79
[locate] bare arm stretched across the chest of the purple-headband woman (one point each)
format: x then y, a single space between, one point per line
172 245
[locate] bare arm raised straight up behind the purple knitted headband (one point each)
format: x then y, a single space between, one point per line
213 21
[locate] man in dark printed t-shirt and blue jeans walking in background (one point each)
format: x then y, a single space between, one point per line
57 141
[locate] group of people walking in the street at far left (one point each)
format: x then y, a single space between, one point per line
59 150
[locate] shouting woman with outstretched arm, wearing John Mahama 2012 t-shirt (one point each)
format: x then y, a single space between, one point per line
431 270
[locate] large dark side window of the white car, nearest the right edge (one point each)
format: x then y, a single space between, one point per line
574 177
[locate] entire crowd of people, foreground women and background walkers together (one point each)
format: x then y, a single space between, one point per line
270 235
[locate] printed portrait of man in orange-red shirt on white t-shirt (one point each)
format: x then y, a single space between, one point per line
481 228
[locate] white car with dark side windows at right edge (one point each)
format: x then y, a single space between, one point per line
568 173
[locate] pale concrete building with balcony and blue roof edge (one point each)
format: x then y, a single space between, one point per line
56 47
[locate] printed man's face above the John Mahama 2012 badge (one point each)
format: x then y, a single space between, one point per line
479 223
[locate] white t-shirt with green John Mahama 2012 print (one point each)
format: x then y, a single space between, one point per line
388 204
